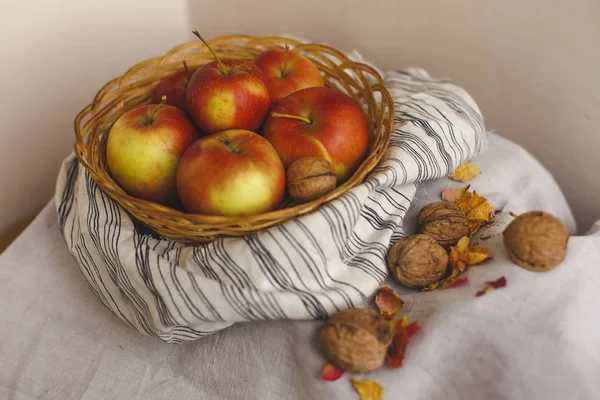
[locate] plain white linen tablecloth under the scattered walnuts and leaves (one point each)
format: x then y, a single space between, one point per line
537 338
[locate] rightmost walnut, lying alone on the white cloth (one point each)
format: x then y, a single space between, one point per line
536 240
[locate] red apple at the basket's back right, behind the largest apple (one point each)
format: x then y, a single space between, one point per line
286 72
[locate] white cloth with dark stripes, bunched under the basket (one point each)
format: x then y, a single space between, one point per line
307 268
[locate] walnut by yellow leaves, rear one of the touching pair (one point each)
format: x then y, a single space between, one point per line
443 221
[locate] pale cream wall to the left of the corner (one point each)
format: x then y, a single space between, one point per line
55 56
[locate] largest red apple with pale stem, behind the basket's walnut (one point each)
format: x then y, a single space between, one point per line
319 122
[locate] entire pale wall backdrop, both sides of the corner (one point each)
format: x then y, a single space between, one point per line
534 68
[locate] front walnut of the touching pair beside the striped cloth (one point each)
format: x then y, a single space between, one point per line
417 261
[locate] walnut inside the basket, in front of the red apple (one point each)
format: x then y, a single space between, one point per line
309 178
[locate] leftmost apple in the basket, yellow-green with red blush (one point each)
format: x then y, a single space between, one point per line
144 148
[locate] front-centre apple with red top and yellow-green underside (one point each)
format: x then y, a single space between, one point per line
233 172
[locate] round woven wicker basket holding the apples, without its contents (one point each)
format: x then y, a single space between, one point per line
132 89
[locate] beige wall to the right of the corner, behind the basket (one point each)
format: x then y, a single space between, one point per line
533 66
